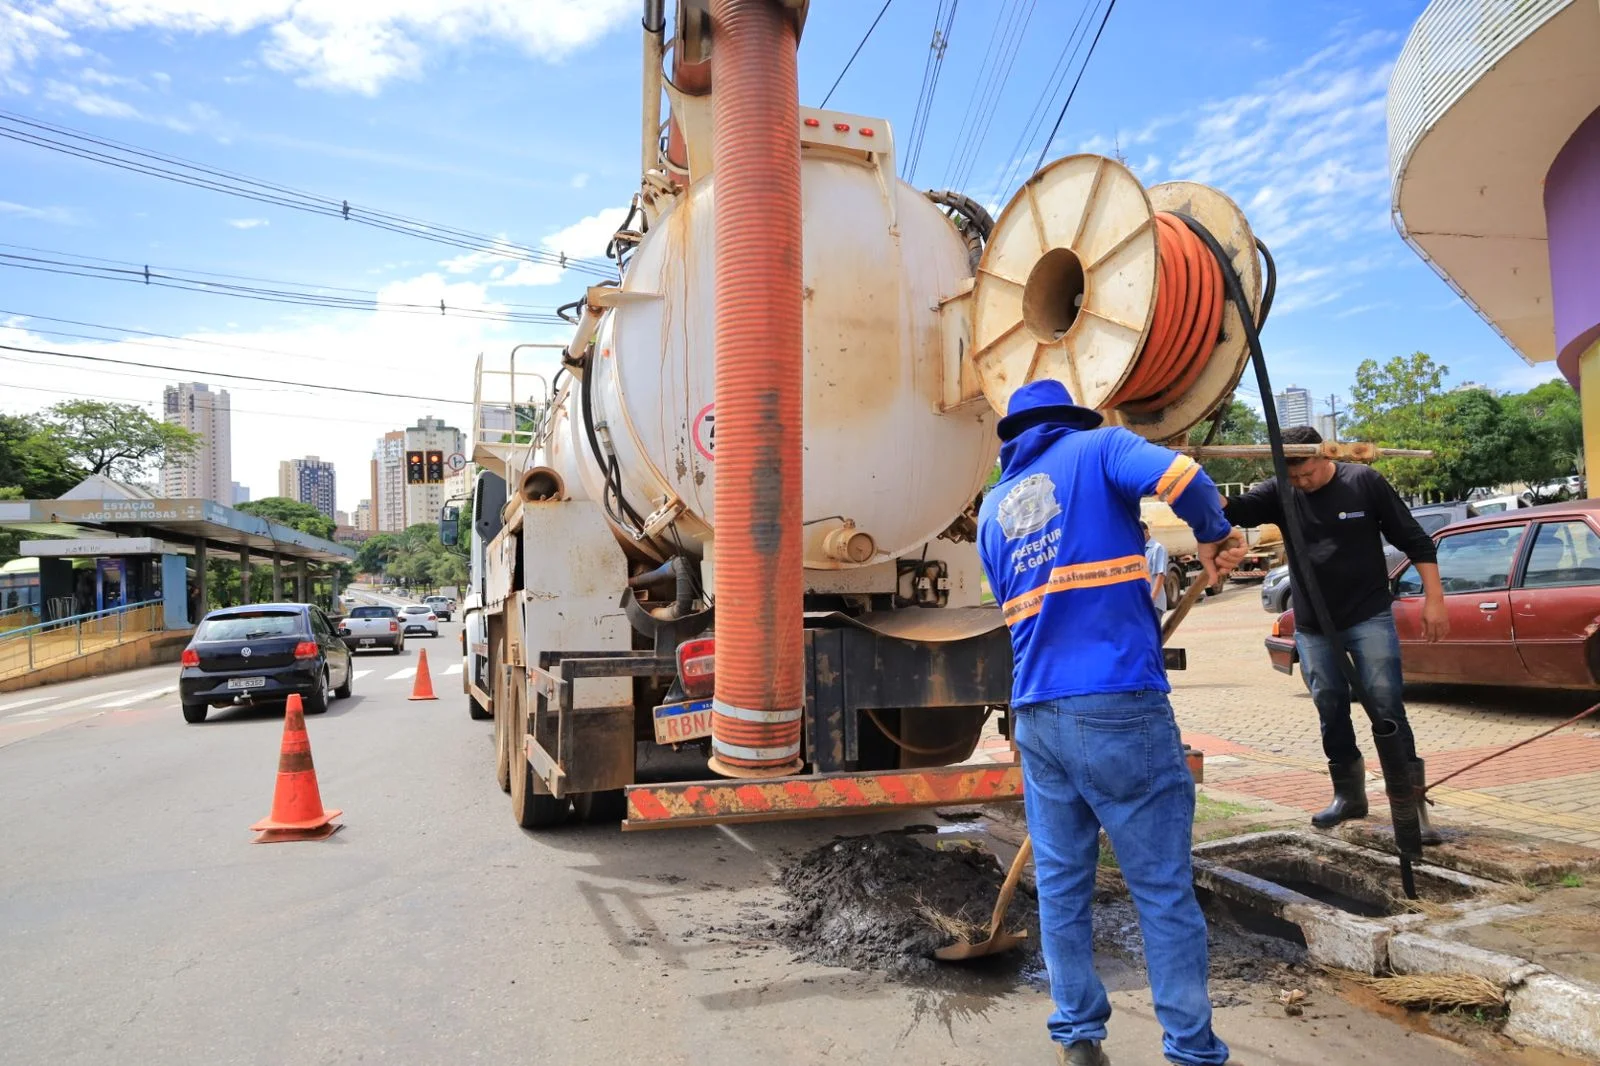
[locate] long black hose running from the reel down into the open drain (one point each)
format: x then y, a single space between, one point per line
1409 838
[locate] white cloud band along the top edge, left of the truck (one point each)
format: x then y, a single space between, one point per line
340 46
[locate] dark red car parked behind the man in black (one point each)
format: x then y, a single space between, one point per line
1524 598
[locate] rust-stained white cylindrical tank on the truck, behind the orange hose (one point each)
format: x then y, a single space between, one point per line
878 449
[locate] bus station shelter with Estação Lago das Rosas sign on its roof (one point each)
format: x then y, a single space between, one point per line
158 550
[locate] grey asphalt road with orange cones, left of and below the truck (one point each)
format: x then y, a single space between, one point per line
140 924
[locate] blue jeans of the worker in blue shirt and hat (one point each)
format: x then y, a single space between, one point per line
1114 761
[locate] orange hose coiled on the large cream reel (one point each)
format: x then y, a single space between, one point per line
1186 323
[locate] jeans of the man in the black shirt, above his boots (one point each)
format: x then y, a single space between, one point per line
1375 649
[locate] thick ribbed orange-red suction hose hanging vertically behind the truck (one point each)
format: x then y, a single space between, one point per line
761 377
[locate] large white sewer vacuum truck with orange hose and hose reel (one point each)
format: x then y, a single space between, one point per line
738 519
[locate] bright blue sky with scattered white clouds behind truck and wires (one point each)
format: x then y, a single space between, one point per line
521 118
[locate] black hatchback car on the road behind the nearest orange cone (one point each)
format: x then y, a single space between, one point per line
263 654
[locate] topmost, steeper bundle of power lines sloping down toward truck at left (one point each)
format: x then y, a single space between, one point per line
151 164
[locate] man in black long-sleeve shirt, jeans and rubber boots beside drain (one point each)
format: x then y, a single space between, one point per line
1346 513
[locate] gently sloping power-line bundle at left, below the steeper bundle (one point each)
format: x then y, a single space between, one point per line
284 294
